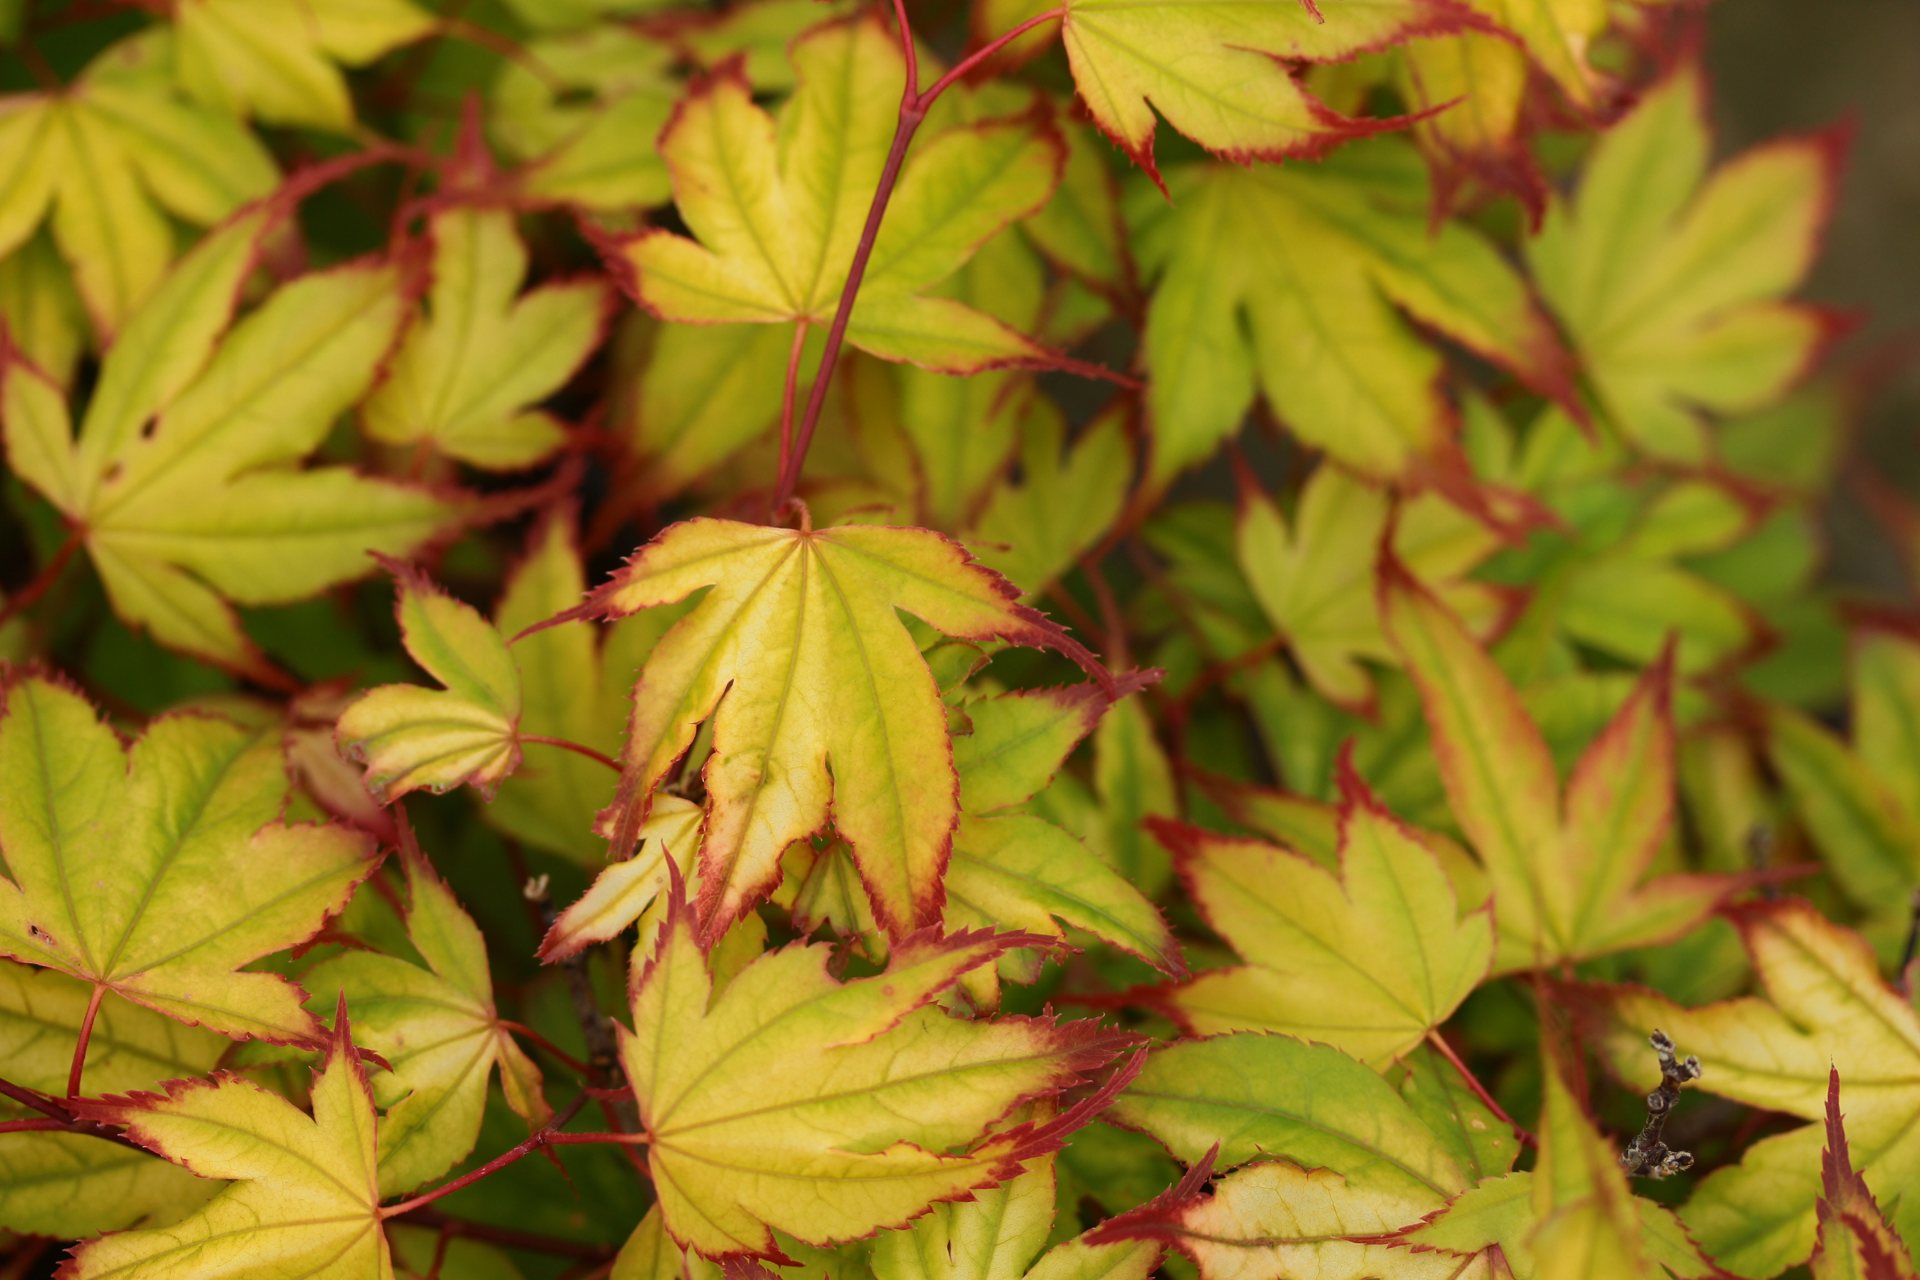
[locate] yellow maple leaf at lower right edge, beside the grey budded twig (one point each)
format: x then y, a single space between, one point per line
1827 1008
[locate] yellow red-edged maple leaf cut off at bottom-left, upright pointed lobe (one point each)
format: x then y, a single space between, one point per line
304 1197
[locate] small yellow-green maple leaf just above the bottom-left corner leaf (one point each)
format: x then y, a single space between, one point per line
441 1033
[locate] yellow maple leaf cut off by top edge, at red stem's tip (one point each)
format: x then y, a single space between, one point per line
1216 70
